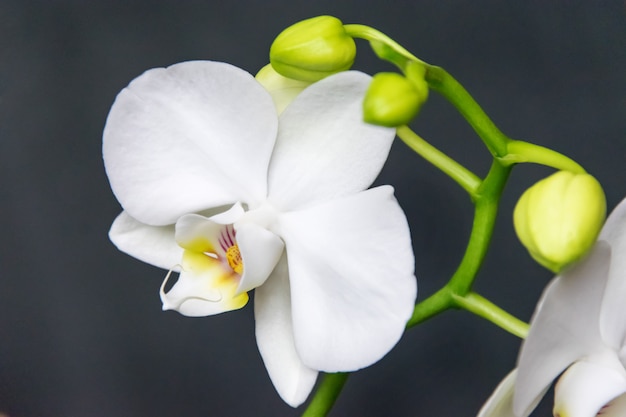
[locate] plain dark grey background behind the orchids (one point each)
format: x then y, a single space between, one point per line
81 331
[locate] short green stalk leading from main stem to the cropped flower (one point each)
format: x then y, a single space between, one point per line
484 308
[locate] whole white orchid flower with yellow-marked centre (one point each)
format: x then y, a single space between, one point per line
215 185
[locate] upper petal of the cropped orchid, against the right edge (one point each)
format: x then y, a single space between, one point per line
613 314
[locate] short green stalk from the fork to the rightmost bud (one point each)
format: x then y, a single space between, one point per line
520 151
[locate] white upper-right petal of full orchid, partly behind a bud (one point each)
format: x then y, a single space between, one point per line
324 149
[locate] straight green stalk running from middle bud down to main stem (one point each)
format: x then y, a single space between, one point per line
465 178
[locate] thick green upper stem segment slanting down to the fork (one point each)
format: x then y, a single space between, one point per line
439 80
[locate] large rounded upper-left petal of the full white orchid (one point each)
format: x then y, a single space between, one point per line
189 137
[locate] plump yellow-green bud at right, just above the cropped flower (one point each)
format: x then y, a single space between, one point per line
559 218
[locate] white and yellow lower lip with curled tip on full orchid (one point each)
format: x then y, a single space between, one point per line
205 287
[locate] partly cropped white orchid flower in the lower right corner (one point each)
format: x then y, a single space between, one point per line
579 327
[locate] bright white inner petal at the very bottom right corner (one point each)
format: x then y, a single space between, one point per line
586 387
